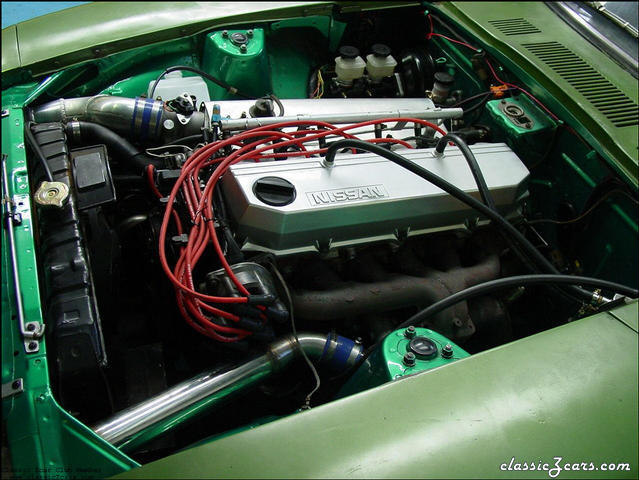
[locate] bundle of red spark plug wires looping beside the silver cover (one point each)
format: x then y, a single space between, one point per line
192 304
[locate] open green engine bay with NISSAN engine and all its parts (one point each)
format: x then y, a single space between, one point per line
256 220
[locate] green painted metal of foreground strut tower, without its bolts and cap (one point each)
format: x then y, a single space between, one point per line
386 363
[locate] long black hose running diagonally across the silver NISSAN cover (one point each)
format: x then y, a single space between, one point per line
462 196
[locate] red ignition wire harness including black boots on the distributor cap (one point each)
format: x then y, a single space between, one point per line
233 318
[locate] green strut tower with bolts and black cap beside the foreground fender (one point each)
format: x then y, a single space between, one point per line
403 352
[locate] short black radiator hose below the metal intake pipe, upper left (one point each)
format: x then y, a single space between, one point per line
117 145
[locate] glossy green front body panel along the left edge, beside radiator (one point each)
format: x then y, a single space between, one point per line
43 438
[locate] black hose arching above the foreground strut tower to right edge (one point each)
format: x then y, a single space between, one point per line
492 285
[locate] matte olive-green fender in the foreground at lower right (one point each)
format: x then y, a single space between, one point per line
572 392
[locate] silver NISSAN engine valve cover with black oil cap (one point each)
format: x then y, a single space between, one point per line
364 196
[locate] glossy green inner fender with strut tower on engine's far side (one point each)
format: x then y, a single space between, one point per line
289 61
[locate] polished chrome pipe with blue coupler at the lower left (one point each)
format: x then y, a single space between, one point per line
141 423
